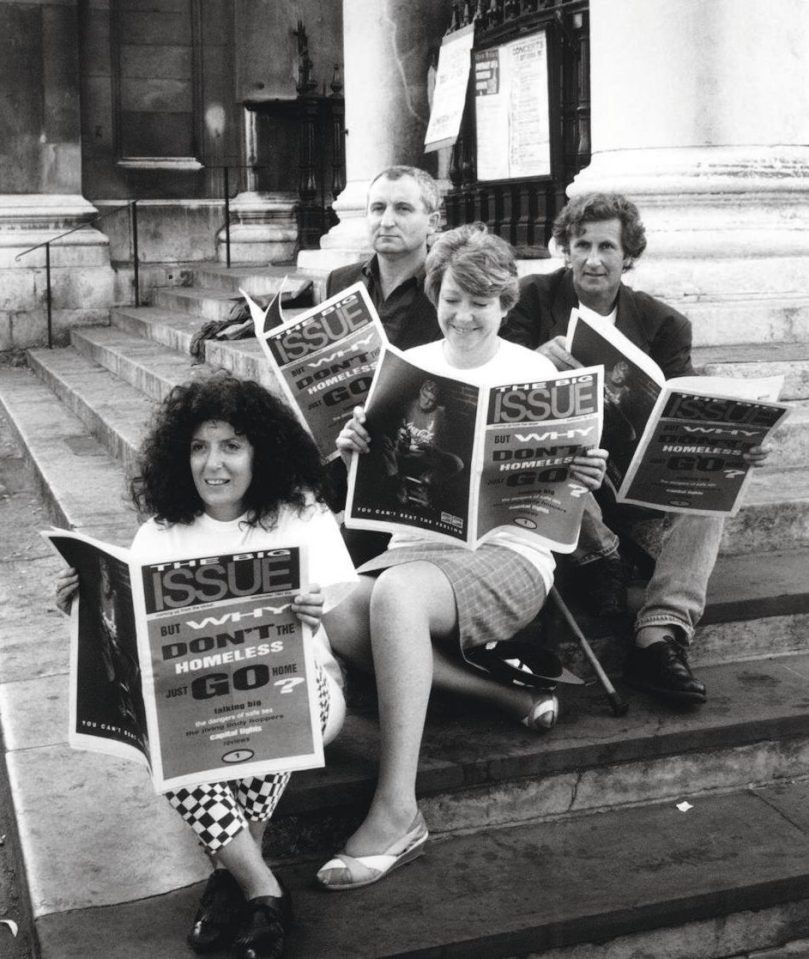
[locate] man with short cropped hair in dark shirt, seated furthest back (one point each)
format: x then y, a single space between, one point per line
403 211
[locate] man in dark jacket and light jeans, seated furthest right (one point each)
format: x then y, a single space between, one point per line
601 235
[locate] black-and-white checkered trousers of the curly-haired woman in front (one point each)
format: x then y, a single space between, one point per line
217 812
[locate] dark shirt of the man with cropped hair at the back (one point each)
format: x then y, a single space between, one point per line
407 314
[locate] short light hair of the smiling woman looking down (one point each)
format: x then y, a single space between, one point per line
482 264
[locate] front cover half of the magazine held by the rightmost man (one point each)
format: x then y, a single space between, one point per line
690 457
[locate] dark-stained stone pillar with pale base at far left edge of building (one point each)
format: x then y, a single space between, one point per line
40 156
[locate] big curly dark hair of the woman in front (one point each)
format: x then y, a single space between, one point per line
286 463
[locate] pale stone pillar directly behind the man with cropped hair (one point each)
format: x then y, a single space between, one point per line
387 45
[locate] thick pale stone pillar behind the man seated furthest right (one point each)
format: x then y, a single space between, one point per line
700 113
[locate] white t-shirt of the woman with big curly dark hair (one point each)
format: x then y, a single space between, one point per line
330 565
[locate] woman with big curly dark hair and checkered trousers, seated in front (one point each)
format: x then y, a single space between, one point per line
227 467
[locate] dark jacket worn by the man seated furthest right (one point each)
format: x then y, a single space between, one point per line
543 312
